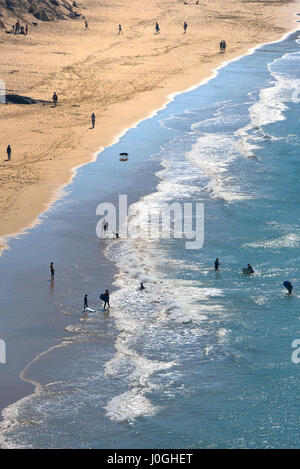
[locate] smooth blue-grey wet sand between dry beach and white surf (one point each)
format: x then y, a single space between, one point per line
39 314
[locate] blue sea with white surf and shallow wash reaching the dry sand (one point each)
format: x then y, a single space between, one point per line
199 359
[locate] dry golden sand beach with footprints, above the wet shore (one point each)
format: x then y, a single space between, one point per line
122 78
